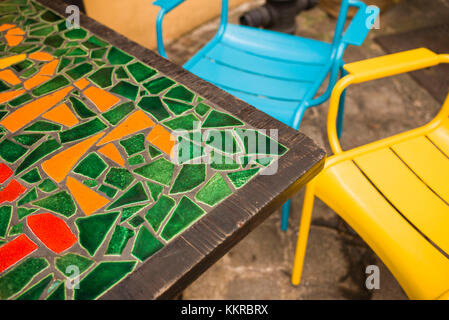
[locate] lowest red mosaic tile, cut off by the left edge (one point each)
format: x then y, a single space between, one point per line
15 250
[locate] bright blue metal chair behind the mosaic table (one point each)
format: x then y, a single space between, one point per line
277 73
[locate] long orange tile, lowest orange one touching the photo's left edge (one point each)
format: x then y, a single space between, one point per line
30 111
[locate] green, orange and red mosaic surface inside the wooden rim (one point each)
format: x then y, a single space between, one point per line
104 159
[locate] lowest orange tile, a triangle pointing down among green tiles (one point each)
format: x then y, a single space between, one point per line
88 200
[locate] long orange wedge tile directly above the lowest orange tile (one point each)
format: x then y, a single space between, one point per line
59 165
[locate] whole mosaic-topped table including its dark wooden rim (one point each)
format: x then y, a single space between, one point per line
115 178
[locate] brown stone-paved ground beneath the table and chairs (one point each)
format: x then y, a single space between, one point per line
259 267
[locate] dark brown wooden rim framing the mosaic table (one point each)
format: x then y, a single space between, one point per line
229 222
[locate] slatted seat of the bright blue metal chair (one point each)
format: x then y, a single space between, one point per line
273 74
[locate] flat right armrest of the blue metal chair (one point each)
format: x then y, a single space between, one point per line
361 24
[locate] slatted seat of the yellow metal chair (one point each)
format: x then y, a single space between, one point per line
396 197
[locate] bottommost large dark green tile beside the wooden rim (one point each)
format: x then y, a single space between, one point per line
104 276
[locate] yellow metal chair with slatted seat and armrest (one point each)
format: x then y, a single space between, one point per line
394 192
